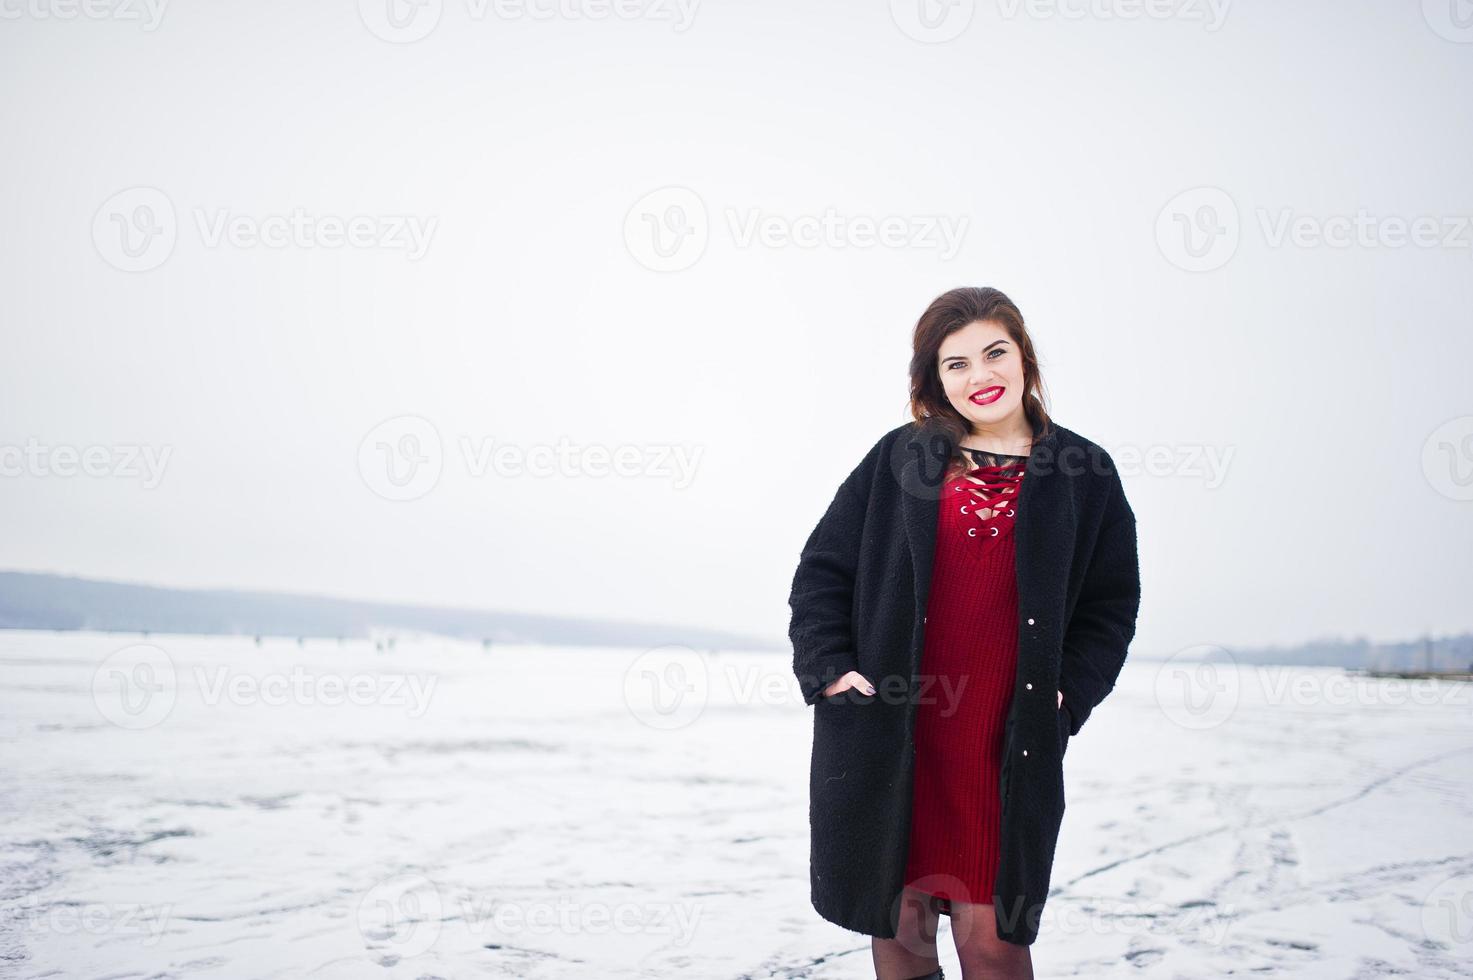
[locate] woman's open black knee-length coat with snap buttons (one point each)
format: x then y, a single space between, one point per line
859 601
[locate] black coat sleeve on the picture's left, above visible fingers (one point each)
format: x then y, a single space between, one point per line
823 595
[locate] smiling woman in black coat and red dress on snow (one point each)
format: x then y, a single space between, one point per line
960 611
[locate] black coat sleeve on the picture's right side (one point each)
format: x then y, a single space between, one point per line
1104 620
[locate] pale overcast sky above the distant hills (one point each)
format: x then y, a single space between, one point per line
279 253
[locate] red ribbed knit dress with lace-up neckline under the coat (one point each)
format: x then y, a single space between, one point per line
968 671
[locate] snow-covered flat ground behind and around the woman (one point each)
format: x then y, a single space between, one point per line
182 807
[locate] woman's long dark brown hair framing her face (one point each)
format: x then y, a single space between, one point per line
949 313
